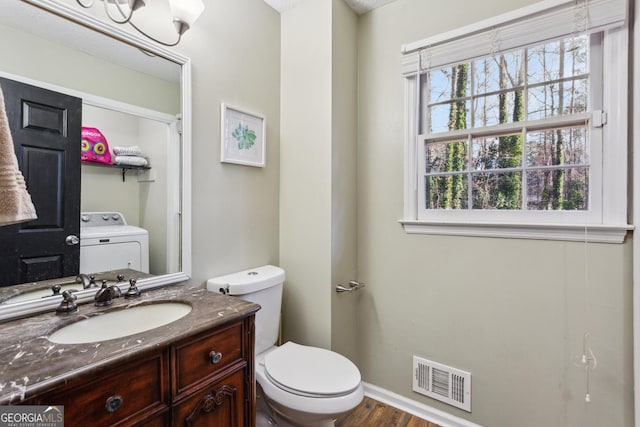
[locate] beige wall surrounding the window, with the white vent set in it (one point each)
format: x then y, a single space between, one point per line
511 312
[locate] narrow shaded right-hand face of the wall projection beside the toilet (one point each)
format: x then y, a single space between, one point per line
344 105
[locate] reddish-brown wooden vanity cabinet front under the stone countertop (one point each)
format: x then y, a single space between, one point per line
204 380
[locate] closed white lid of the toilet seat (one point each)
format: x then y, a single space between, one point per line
311 371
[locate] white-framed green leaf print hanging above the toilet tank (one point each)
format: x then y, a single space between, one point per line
242 139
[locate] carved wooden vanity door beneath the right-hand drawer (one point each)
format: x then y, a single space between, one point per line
219 404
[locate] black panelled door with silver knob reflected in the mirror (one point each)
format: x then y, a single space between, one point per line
45 130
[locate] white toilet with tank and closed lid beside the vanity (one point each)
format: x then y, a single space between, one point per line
297 385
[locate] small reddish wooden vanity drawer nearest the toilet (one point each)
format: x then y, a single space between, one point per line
199 359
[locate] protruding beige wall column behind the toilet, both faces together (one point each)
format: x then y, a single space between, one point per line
318 171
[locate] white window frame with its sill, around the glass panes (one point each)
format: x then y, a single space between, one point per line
607 224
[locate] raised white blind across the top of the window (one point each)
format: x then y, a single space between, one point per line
546 20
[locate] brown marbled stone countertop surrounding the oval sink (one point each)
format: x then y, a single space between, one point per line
31 364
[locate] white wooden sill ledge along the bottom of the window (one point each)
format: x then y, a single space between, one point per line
563 232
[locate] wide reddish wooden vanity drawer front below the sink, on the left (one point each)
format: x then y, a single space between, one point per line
125 396
